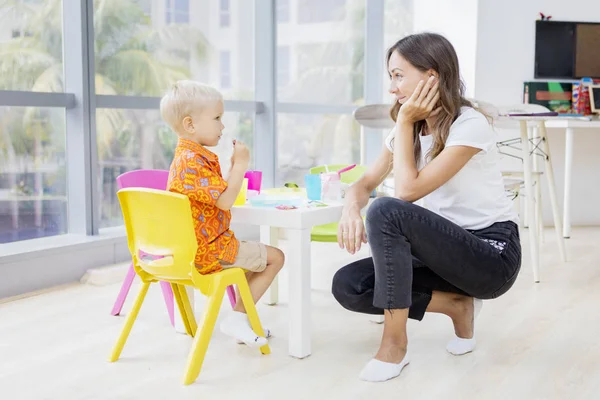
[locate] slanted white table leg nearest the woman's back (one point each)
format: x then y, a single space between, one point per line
533 237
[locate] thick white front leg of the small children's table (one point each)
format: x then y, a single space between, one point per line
298 265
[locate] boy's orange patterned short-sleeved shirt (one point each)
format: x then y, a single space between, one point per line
195 173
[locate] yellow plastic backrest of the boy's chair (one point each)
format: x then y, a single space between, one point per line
159 223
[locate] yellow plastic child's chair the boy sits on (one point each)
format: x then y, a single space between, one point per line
160 223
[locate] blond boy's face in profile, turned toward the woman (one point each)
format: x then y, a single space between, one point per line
205 126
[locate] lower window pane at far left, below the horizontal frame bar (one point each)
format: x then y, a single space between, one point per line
33 191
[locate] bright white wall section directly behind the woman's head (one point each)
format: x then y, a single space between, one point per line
457 21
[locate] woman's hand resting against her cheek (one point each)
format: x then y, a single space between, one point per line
421 103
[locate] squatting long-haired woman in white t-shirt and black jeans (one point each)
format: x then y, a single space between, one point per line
464 245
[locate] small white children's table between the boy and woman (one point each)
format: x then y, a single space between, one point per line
297 225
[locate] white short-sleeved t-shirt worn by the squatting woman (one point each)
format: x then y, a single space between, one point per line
474 198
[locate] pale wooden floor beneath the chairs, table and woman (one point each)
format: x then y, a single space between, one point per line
539 341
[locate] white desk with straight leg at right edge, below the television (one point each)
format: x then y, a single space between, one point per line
569 125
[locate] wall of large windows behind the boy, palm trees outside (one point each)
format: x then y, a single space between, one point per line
140 48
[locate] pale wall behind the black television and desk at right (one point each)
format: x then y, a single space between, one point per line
505 58
